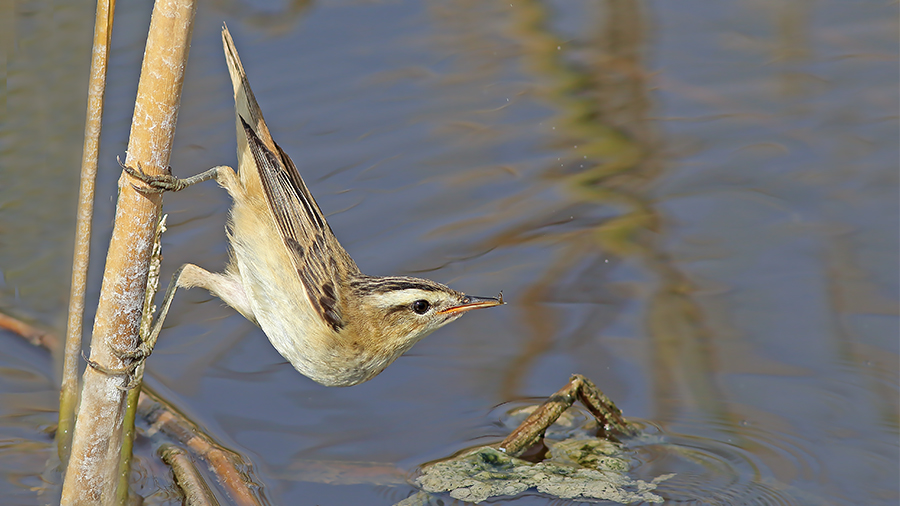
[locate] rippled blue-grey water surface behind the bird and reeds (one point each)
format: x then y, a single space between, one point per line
694 204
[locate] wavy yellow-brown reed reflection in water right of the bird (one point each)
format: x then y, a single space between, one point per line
599 87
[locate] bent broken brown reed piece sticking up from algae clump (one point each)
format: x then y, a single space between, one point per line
612 424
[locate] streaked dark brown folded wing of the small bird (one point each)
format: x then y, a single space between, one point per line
320 260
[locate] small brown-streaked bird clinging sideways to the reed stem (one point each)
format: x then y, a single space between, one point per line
289 274
